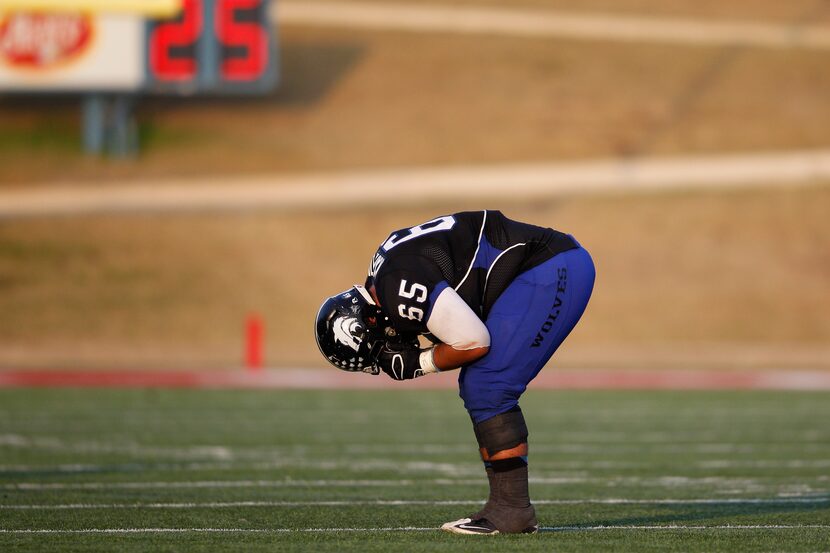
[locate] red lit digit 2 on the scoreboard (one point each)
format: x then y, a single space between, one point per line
181 34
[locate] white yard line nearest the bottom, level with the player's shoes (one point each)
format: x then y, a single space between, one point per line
401 529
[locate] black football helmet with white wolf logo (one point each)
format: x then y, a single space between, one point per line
350 331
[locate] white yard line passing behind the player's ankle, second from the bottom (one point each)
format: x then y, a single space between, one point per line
409 502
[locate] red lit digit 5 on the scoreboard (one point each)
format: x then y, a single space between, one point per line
250 36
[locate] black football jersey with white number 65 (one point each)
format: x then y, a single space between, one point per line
477 253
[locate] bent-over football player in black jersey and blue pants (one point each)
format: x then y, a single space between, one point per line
496 298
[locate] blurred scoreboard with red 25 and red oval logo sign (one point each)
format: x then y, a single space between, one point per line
180 47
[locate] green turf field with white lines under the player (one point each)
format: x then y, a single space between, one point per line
168 470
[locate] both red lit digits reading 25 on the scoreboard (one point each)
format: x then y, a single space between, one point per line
239 33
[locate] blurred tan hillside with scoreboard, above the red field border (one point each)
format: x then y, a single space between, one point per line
154 253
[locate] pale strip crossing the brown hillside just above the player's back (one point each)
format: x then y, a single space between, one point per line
409 186
